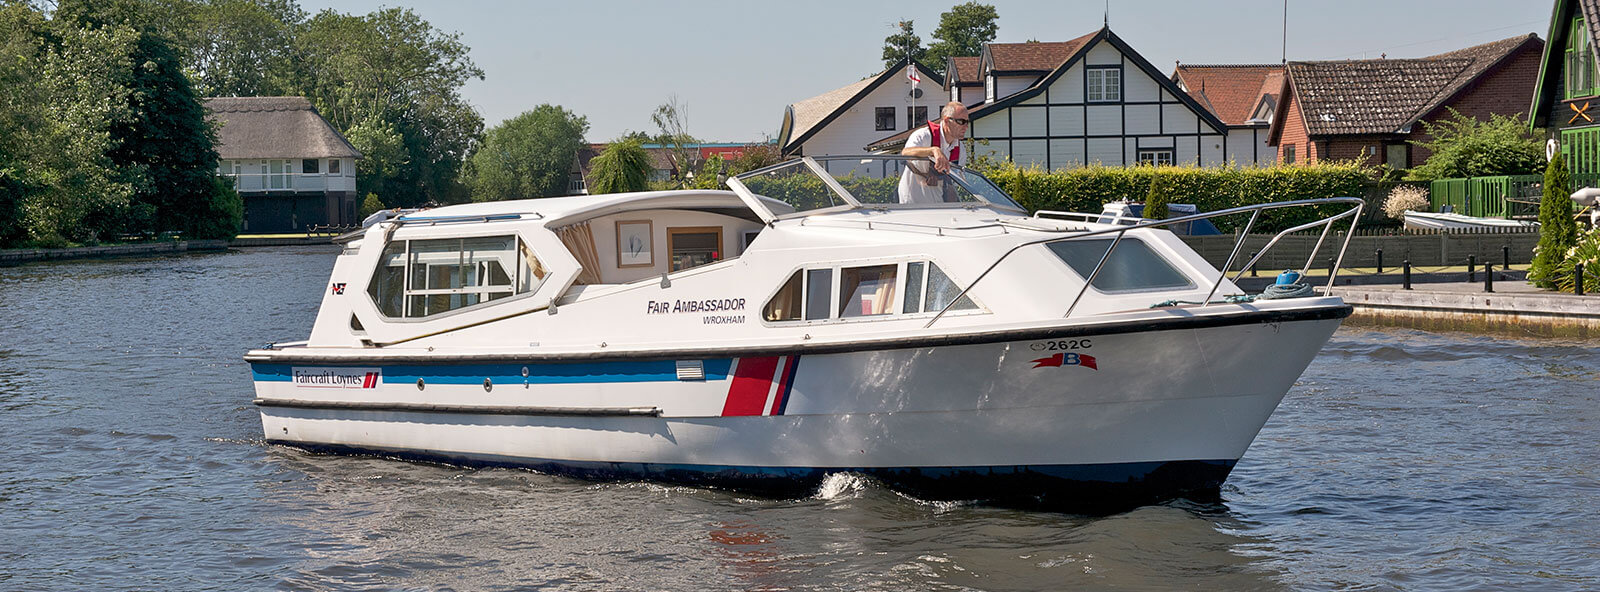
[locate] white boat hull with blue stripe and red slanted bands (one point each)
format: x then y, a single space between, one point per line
1084 420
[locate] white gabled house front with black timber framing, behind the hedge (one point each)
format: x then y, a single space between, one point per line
1090 100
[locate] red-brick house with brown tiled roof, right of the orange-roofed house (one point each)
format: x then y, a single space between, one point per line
1372 110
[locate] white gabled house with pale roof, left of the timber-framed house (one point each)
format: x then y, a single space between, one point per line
849 118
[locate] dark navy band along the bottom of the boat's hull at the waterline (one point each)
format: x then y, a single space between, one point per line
1071 487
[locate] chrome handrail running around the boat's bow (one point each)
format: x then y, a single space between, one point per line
1354 214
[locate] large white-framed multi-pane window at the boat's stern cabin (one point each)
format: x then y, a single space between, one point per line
428 278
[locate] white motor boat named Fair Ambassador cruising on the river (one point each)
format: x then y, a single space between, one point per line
799 326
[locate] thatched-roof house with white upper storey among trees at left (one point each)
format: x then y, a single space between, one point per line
290 167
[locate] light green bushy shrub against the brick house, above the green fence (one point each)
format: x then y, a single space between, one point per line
1466 148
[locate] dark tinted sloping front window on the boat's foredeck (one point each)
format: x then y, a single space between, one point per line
1132 266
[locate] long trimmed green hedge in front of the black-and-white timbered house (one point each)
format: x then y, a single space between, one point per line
1210 190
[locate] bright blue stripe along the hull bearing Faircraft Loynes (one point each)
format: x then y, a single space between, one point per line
511 374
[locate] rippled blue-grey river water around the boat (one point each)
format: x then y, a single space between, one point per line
134 460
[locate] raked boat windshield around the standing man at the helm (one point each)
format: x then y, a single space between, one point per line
828 183
